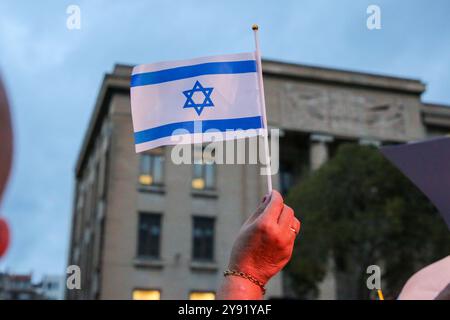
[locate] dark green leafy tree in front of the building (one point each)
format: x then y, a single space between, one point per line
359 210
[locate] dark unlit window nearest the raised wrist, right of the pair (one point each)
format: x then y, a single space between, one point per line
203 239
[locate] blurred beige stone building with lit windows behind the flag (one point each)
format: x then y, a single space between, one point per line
145 228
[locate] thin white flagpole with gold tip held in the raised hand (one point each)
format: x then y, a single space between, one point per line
263 102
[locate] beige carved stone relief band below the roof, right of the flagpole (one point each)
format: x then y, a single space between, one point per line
343 111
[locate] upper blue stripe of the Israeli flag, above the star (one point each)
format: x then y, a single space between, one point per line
229 67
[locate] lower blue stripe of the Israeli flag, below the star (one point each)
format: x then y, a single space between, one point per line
218 125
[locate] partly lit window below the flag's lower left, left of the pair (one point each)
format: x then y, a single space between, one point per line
151 170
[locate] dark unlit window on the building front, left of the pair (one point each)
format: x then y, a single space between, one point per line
149 235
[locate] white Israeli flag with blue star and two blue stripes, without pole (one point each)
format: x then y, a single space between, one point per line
195 100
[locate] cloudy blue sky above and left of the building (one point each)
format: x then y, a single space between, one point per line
53 76
